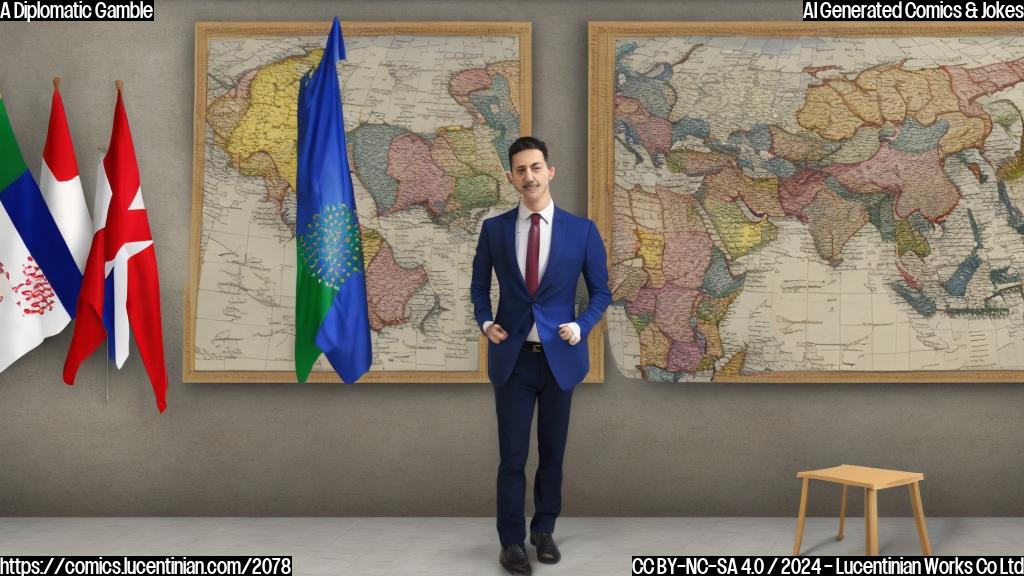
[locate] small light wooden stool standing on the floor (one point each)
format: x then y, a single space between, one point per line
872 480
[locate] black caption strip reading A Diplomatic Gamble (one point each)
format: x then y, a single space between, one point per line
87 11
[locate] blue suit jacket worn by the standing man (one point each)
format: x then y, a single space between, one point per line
576 249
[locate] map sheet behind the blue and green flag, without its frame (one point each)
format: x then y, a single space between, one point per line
426 119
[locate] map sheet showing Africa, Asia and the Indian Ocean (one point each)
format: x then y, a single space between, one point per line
818 204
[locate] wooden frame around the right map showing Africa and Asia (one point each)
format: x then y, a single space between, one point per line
603 37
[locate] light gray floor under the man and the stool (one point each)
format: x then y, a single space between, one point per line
459 546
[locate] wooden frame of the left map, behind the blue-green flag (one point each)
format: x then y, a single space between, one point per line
208 31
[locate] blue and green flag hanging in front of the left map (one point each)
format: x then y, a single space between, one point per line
331 314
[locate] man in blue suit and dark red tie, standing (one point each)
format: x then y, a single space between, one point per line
538 345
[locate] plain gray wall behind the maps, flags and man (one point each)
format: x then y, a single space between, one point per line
635 448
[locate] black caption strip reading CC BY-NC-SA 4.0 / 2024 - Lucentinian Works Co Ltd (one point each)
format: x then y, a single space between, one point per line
849 566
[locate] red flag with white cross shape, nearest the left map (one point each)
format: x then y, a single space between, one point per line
121 287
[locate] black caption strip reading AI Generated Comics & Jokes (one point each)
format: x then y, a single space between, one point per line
979 11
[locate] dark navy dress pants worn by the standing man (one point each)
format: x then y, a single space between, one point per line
531 384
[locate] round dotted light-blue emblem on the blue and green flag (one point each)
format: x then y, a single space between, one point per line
331 245
